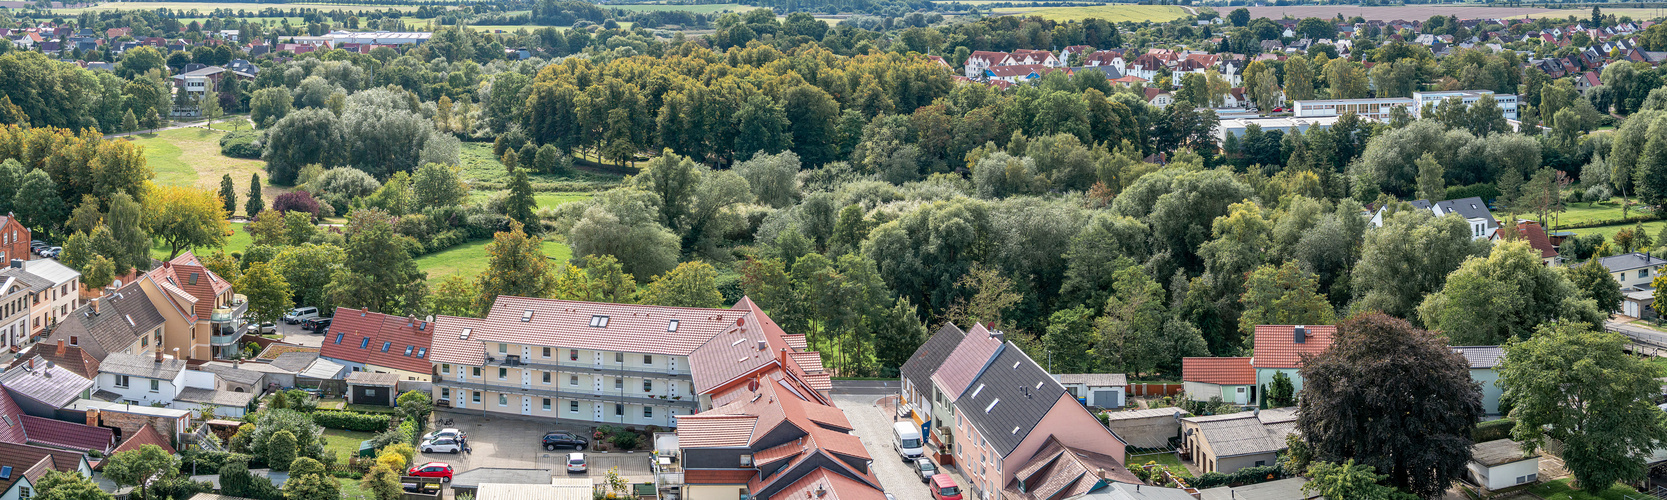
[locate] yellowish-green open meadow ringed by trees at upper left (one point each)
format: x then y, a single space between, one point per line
193 157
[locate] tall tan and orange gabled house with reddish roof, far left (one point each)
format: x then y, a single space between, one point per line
204 317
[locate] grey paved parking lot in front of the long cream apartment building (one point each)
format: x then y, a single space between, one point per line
519 444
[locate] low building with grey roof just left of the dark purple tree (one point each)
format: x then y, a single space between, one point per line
1236 441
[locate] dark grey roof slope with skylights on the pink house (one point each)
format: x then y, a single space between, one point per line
1009 397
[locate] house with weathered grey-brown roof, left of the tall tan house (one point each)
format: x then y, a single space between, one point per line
119 322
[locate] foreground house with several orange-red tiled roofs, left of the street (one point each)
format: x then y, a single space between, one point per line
774 444
